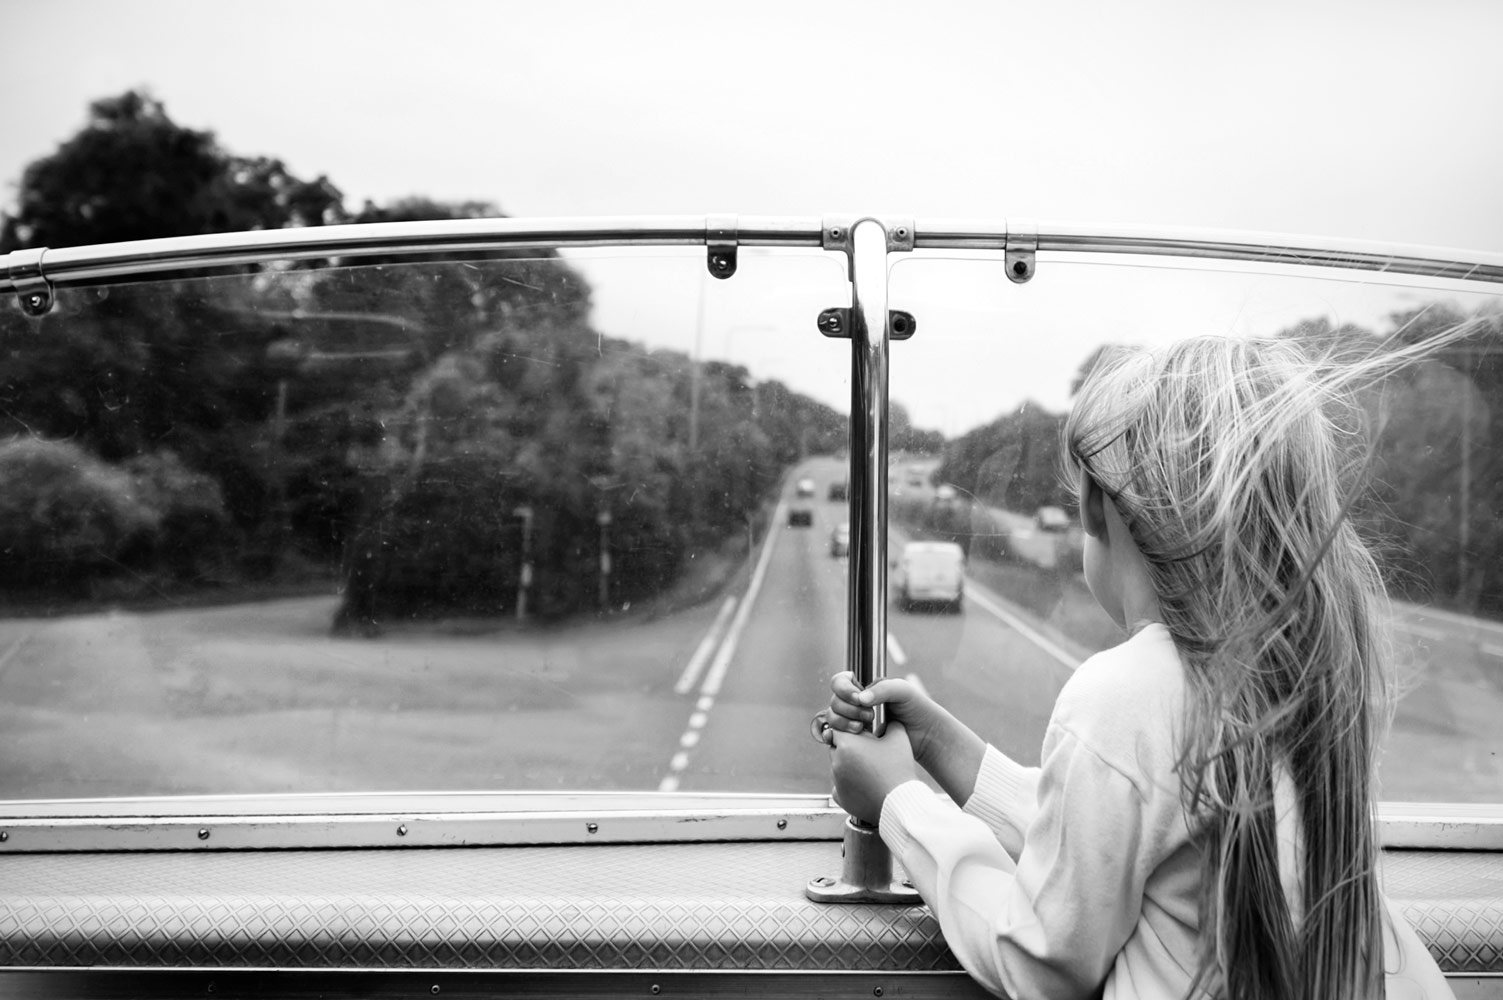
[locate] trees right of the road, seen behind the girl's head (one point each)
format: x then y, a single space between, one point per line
1430 498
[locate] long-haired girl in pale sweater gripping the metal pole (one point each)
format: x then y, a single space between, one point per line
1202 822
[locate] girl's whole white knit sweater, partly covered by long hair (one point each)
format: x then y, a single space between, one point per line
1060 879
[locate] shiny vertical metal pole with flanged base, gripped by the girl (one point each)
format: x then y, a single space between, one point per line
866 868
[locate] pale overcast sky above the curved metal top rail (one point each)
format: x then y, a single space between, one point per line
1370 120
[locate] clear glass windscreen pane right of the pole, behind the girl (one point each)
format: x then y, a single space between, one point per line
993 369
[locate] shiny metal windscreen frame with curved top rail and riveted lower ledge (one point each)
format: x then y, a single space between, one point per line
336 822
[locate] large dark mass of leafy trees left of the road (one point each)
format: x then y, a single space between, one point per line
419 431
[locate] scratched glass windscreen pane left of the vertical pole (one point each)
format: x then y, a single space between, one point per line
515 523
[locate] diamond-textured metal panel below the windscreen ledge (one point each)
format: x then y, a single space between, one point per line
612 908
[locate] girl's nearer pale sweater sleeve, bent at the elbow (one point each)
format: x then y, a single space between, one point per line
1053 923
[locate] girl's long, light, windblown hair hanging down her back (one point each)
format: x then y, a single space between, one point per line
1233 464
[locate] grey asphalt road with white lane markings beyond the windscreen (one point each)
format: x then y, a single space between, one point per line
259 698
